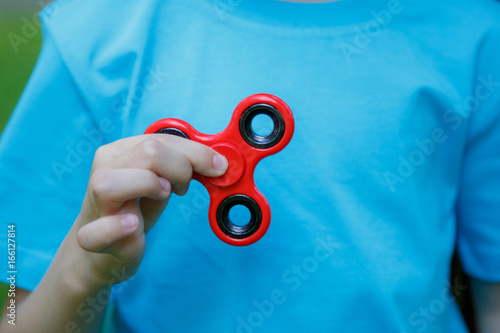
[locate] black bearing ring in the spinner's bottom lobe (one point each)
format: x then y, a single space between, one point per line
228 227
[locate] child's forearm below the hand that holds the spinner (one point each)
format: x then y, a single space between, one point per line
66 299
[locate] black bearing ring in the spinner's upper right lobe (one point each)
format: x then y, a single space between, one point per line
252 138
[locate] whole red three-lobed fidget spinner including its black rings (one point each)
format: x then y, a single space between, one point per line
243 149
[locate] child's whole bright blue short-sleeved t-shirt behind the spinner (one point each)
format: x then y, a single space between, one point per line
395 158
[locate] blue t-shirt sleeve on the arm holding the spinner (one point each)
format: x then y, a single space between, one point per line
46 152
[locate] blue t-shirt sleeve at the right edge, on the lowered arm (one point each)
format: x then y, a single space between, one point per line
479 200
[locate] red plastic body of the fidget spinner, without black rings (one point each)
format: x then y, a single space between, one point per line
242 158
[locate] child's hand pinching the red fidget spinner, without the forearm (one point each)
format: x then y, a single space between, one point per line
130 184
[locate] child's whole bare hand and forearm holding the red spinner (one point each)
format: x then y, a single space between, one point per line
130 184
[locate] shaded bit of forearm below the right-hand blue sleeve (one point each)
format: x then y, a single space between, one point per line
486 297
